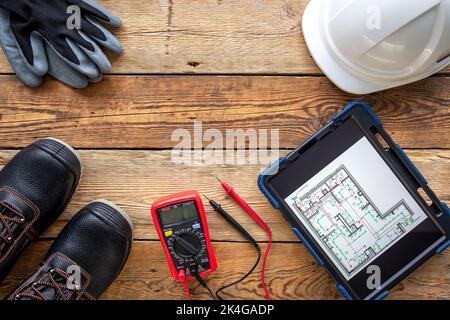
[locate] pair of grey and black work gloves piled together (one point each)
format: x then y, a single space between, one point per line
88 64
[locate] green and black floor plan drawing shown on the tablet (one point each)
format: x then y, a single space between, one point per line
347 222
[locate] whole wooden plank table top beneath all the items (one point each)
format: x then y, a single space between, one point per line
229 64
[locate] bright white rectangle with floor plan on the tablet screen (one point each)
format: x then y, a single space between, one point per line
356 208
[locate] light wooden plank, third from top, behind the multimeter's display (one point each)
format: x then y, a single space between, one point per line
134 179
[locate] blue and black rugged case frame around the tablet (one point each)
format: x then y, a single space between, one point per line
371 125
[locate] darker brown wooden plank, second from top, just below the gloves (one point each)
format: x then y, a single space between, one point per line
144 111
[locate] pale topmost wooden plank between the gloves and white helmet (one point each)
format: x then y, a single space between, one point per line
210 36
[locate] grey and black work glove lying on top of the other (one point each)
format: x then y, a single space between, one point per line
73 28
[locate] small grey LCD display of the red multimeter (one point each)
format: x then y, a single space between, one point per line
178 213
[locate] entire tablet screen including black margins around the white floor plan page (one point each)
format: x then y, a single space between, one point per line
358 210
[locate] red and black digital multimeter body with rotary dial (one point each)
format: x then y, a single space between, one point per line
182 227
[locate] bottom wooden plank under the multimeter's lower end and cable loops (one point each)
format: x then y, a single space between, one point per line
147 276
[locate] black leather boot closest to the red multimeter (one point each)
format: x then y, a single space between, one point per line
85 259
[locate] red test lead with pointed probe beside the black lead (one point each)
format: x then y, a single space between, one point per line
244 205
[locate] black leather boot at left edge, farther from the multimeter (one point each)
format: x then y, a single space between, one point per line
35 188
